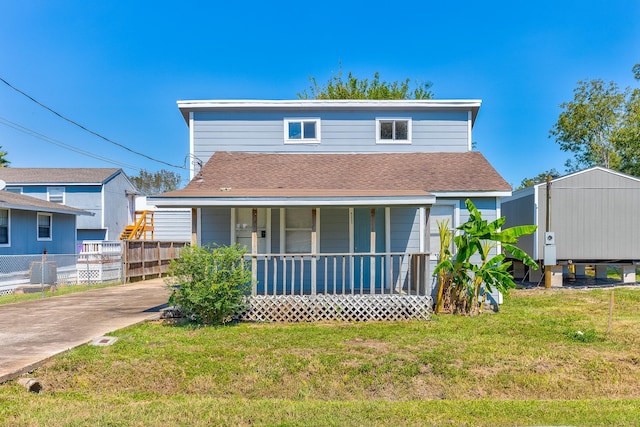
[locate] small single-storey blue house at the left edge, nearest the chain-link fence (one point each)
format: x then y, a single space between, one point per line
29 226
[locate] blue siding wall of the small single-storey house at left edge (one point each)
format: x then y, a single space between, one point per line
23 234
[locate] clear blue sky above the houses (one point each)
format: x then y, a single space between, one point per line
118 67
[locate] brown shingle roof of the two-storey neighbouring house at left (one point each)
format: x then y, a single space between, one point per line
56 175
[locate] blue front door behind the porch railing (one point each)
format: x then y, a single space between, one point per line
368 269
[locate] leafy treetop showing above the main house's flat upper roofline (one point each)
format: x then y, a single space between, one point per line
353 88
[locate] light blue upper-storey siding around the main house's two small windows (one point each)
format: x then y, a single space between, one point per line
340 132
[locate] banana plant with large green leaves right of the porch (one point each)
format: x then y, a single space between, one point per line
466 276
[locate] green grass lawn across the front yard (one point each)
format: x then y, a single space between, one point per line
547 358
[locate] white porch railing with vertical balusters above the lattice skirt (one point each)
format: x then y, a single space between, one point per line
391 273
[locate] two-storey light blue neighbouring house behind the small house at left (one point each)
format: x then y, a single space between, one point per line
106 192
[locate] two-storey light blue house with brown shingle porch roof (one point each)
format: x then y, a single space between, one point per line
338 198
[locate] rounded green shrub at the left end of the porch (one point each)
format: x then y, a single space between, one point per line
209 284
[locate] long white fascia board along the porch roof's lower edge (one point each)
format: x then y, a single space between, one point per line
298 201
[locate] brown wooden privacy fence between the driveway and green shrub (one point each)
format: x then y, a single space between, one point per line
146 259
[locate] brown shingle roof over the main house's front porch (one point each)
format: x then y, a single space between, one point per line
234 174
